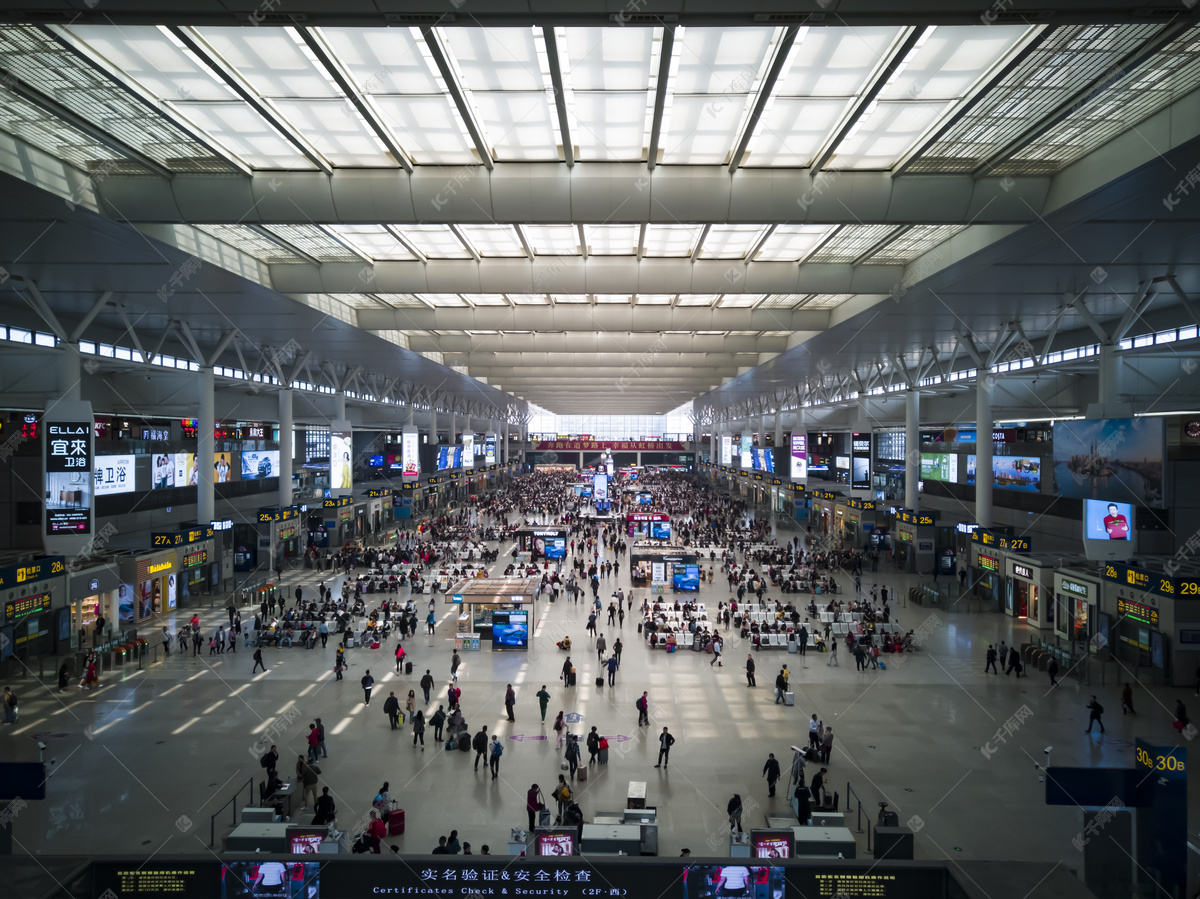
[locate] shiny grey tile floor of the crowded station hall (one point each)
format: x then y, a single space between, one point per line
142 764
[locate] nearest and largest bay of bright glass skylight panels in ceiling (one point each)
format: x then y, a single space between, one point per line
179 105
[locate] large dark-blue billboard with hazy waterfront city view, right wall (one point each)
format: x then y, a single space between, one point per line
1111 459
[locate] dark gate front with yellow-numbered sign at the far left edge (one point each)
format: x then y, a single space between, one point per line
34 594
